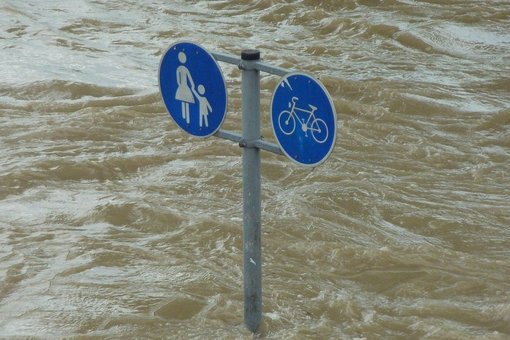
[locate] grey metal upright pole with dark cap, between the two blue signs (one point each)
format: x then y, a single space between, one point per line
250 78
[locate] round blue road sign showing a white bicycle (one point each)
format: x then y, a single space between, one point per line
304 119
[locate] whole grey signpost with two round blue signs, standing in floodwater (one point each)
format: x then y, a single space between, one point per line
303 118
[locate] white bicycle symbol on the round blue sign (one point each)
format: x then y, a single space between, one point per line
287 122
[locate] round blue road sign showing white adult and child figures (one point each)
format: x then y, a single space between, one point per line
193 89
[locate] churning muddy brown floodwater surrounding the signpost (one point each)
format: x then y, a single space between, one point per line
116 224
